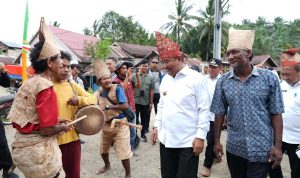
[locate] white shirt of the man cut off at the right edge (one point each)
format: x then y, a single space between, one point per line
291 115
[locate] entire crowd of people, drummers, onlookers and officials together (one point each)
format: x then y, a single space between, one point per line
261 112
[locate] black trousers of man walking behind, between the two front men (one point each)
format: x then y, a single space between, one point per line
209 151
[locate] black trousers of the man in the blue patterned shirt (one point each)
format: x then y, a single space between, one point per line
242 168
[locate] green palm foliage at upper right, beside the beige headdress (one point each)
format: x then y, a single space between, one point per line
273 37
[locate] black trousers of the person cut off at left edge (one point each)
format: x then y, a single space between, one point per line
5 156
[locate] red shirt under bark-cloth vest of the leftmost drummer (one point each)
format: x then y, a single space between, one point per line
47 110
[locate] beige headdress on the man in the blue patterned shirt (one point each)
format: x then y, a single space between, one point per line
240 39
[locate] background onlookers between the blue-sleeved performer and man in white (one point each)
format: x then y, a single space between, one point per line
141 88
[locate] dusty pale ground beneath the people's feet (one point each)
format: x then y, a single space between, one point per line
145 165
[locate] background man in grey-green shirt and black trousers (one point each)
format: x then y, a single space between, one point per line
143 98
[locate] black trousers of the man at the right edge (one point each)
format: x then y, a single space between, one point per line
290 149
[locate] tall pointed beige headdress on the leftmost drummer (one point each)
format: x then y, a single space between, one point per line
49 48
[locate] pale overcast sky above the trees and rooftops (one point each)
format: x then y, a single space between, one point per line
151 14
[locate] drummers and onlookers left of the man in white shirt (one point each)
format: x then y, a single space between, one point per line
48 101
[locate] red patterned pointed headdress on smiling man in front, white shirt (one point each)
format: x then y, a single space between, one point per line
166 47
